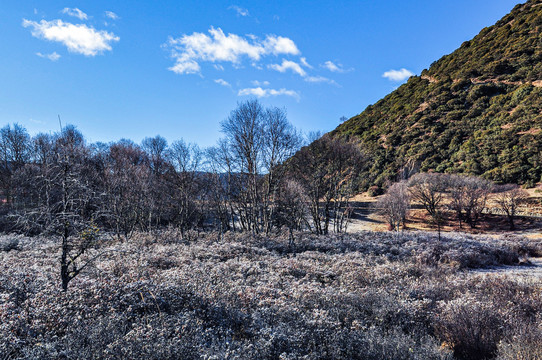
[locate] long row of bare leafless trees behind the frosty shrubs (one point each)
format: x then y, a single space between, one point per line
59 185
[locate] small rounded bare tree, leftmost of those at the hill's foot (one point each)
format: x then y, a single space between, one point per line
395 204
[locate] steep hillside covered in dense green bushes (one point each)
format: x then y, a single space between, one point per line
475 111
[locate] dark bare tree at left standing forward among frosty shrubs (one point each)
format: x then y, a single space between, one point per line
59 198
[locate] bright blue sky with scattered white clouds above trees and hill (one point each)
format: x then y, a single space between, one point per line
131 69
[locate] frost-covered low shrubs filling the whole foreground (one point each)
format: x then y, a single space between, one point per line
237 295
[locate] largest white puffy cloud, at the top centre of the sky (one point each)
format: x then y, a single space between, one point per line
189 50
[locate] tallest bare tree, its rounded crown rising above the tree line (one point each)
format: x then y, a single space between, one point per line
257 142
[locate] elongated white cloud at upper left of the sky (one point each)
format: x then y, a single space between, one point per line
80 38
